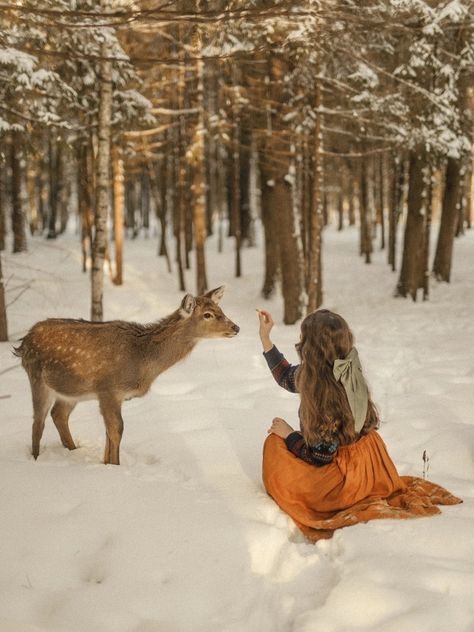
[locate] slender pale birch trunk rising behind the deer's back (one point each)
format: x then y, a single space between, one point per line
102 185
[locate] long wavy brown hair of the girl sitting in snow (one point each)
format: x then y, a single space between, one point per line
324 411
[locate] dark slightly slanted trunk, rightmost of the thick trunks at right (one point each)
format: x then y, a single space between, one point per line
444 247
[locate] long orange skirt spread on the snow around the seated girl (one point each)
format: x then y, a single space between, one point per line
360 484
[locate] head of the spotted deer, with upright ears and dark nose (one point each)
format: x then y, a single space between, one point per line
205 317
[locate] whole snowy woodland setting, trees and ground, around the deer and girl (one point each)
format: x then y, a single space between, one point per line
303 153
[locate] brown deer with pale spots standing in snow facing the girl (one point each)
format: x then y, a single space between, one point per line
72 360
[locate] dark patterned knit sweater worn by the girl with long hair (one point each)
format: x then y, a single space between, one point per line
285 375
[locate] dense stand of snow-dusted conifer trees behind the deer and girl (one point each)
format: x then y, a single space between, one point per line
181 120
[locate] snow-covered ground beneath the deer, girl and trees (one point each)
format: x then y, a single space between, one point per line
182 537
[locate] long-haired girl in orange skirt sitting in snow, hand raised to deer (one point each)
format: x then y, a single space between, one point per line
336 471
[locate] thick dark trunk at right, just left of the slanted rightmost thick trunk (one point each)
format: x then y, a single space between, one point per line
412 271
